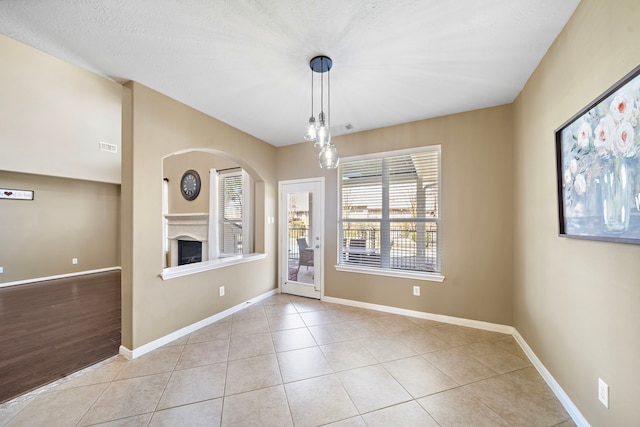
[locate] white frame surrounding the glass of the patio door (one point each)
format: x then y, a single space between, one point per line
316 241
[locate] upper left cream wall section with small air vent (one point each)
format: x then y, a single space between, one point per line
53 116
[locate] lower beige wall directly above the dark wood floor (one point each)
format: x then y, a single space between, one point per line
67 219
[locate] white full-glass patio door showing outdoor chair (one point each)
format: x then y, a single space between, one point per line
301 225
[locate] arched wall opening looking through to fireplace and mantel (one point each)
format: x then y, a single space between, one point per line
217 224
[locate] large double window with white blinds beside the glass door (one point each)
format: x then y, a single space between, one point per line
390 211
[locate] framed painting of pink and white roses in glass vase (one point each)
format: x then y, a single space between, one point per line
598 166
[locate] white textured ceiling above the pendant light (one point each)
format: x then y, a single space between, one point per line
246 62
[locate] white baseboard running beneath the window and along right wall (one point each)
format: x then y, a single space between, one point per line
564 399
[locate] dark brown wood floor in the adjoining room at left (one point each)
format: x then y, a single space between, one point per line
51 329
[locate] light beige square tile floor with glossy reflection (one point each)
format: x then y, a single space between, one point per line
289 361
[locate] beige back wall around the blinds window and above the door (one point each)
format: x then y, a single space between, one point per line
477 214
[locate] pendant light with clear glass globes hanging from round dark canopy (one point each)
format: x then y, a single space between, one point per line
320 132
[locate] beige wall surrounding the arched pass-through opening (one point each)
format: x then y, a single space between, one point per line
155 126
